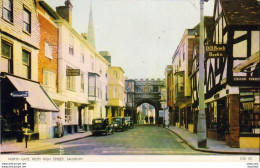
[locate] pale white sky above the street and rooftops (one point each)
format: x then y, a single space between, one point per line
141 35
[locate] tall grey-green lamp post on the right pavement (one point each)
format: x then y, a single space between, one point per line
201 127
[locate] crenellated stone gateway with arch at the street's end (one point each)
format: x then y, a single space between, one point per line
141 91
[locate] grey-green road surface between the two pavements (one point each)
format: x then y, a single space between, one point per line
148 140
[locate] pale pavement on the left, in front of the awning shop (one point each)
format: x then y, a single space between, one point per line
14 147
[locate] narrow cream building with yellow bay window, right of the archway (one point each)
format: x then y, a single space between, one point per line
182 64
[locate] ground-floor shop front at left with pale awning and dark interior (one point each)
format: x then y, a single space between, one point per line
25 114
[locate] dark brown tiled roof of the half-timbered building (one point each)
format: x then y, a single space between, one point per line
241 12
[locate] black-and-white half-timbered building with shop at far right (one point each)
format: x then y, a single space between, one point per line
232 97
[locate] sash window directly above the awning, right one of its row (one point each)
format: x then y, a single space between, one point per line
26 61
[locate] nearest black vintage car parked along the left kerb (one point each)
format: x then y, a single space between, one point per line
101 125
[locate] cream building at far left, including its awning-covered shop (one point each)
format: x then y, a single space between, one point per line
22 112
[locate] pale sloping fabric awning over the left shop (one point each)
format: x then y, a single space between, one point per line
37 97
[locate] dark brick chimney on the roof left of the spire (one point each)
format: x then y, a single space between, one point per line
65 11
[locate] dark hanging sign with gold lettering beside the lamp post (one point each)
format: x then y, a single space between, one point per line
213 51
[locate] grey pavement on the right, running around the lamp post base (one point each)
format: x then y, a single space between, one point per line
213 146
